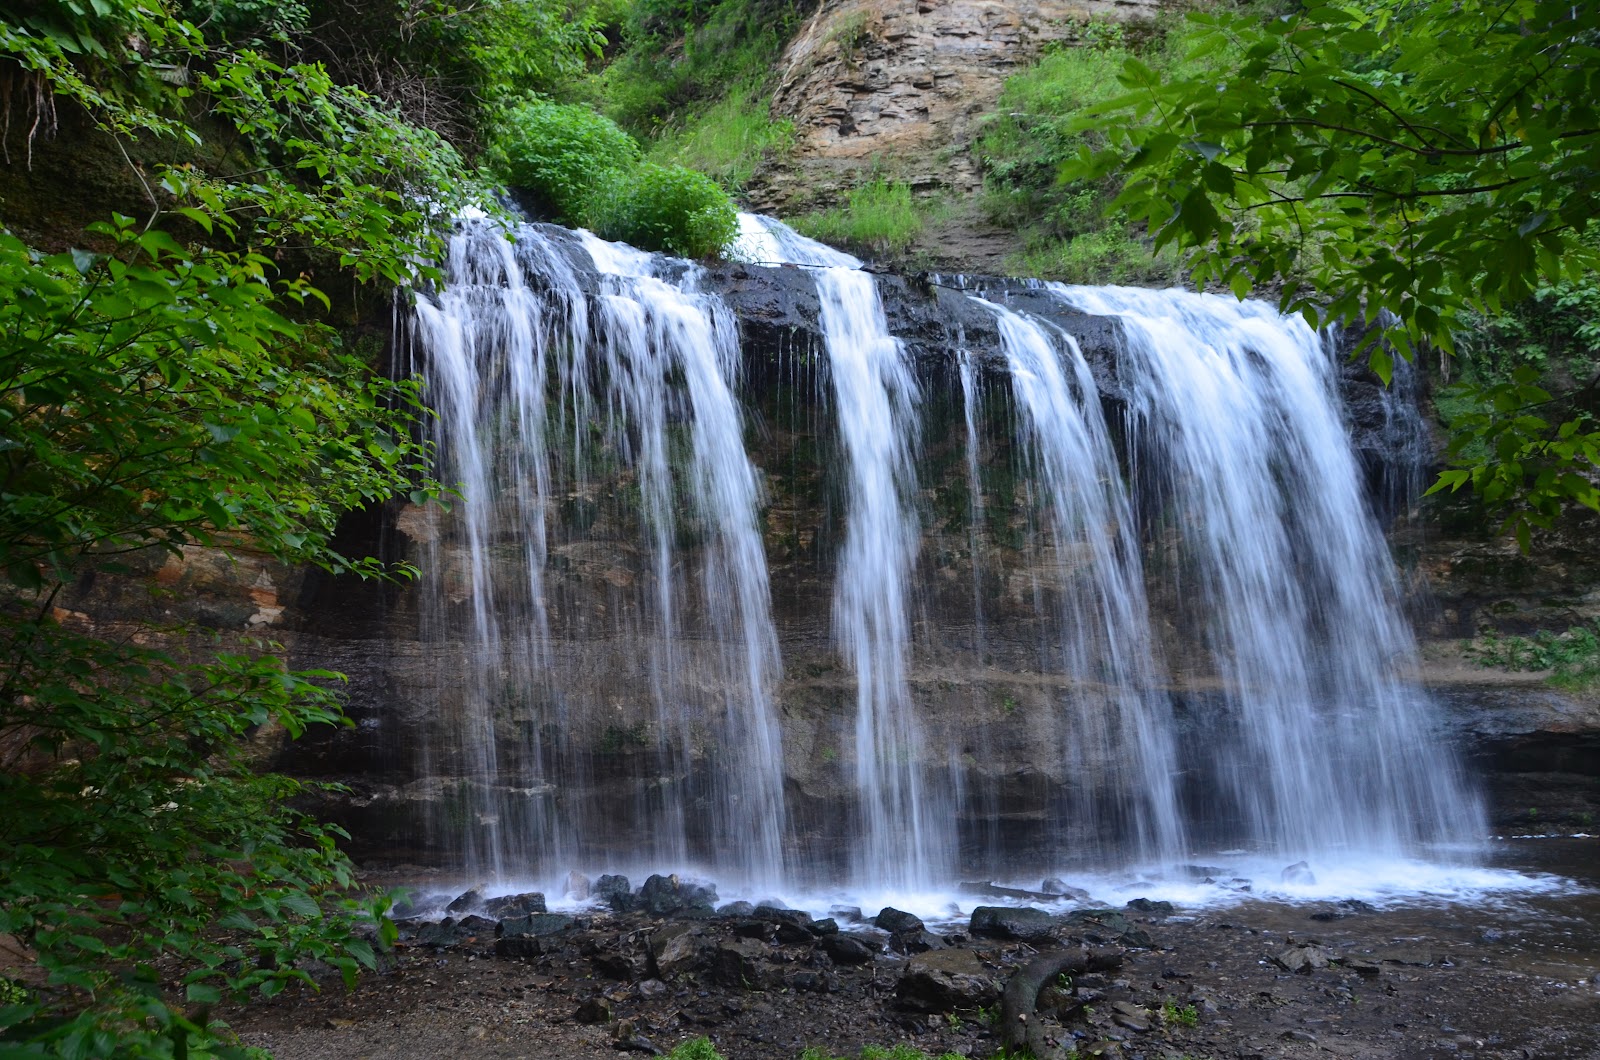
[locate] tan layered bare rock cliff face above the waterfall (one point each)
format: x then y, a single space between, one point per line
900 87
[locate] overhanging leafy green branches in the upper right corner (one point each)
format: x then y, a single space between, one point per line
1426 158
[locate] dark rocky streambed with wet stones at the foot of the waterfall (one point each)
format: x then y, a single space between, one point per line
658 965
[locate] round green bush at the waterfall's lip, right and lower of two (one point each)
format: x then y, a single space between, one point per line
666 207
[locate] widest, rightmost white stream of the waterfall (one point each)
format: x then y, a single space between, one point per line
1321 745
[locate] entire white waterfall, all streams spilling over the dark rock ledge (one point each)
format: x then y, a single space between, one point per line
1218 632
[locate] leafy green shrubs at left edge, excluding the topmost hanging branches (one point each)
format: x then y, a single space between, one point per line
156 398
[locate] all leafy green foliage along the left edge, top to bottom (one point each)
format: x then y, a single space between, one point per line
159 395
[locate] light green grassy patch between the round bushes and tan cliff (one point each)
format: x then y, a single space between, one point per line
727 140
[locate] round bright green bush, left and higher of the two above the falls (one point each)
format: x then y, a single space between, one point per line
562 155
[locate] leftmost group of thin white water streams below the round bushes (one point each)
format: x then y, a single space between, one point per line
649 359
